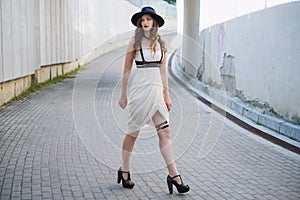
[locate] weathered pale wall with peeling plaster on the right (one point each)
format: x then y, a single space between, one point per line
263 48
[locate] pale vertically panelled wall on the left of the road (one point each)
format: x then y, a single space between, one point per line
39 33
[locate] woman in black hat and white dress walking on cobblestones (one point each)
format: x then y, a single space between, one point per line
149 101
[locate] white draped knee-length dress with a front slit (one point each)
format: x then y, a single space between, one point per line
146 90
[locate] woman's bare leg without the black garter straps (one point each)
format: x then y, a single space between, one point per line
127 148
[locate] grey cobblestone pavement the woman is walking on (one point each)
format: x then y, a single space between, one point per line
63 142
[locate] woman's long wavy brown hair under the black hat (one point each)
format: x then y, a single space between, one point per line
154 36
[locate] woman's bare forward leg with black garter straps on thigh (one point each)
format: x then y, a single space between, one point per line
166 147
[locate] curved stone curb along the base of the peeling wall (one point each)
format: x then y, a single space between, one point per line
276 130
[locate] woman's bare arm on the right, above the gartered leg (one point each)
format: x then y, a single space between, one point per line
164 77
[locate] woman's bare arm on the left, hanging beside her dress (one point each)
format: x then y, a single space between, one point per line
127 69
